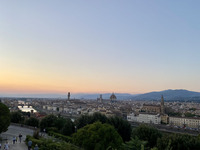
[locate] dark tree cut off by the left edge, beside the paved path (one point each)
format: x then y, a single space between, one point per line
4 117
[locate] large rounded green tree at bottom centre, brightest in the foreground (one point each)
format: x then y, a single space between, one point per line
97 136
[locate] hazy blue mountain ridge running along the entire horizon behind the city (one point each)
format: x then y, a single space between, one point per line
179 94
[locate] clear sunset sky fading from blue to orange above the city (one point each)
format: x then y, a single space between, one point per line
102 46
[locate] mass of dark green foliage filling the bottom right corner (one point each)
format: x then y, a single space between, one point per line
149 138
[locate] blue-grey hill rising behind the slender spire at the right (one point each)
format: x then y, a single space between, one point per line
169 95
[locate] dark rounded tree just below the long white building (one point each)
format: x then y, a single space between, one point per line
147 133
